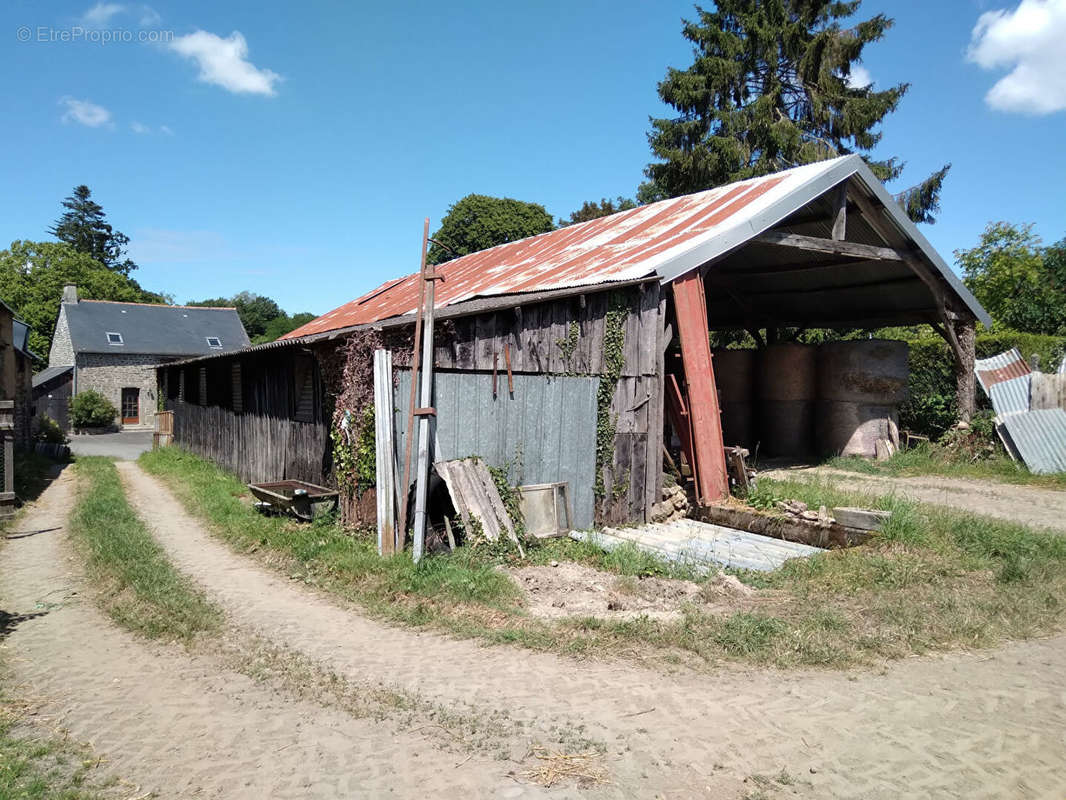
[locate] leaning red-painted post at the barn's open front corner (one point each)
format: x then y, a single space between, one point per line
690 303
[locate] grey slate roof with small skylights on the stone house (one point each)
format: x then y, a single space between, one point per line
153 330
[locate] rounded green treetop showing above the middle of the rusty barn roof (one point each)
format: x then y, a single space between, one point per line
479 222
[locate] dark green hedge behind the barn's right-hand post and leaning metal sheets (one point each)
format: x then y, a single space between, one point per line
931 409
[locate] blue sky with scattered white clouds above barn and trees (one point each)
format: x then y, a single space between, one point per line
294 150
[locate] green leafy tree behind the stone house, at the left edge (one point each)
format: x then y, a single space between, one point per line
33 276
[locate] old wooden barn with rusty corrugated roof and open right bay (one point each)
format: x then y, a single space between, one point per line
584 354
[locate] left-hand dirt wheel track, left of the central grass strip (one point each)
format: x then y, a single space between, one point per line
182 725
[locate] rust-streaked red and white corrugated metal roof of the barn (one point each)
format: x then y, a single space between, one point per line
661 241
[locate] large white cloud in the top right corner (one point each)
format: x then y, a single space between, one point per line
1031 42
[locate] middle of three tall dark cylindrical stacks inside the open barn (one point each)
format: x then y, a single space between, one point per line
787 389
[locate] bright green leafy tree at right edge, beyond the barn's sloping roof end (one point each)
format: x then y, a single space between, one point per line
1020 282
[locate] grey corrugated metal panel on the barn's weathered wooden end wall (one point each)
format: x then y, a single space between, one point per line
550 425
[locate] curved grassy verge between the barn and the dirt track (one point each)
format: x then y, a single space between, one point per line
936 580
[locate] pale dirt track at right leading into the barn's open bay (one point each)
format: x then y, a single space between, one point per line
1039 508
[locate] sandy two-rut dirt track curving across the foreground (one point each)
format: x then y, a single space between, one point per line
974 726
